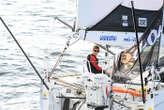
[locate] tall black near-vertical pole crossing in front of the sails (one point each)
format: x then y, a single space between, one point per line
139 56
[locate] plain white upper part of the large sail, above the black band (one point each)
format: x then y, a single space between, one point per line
91 12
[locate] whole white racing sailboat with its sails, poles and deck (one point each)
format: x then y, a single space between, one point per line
136 80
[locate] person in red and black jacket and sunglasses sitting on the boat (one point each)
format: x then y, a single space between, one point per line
92 61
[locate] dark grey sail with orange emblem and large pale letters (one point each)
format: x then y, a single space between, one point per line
149 49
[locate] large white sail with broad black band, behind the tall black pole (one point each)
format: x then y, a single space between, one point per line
102 20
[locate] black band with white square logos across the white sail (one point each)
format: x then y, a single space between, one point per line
120 19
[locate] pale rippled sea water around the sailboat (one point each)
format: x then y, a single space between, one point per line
43 39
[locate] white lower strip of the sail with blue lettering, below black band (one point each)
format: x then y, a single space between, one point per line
121 39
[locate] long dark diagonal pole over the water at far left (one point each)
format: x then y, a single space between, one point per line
24 53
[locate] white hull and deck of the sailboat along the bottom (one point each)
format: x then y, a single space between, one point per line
55 98
